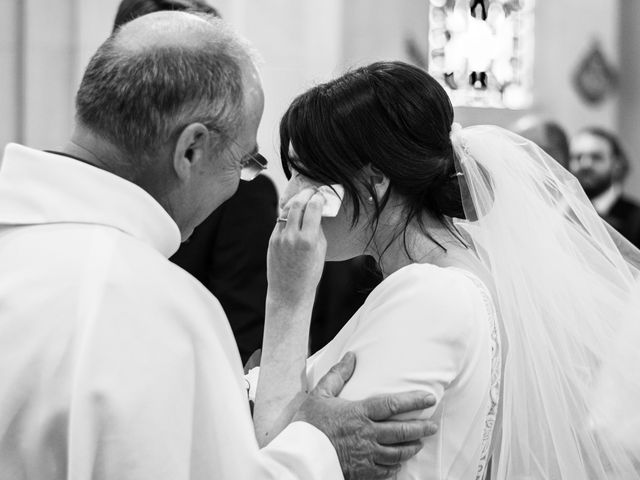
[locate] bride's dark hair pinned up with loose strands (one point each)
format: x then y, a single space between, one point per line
391 115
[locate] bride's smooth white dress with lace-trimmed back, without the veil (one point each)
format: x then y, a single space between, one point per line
431 329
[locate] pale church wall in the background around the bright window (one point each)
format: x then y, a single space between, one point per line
304 42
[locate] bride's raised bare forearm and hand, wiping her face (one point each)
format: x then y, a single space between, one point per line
295 260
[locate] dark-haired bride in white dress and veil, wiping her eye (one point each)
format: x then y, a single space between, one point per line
503 290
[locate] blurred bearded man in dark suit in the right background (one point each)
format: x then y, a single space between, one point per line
601 165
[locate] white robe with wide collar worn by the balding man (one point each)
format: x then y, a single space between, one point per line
114 363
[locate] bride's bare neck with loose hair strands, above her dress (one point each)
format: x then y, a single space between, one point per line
440 247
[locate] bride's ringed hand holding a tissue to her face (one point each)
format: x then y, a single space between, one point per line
297 249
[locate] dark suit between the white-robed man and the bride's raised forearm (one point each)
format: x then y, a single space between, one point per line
228 254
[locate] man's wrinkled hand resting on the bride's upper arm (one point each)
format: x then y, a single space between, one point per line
369 445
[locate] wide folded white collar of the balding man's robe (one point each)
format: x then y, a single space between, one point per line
39 188
